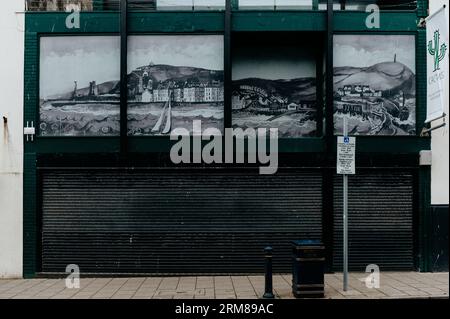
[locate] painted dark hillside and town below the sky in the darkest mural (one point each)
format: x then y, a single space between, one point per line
289 105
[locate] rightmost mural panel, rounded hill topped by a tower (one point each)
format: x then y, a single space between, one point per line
375 84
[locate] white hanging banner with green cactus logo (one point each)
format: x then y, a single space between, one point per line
437 64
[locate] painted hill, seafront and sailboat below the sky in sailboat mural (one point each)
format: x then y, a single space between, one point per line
162 97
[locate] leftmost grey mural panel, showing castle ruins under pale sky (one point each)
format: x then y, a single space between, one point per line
79 86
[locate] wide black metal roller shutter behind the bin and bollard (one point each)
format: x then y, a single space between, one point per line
176 220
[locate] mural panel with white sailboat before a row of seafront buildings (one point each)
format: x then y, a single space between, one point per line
174 80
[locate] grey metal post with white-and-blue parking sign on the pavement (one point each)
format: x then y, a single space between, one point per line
346 149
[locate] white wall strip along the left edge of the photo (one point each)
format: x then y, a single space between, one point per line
11 141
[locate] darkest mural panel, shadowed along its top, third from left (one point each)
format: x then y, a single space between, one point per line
275 87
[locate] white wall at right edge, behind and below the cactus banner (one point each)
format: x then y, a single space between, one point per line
439 141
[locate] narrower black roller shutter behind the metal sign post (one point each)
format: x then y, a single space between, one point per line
380 220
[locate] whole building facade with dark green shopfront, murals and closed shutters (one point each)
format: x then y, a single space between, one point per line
98 188
